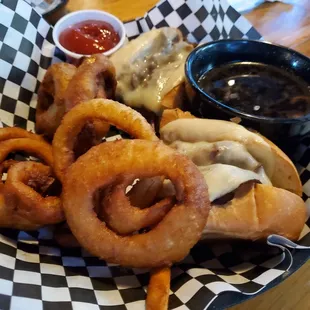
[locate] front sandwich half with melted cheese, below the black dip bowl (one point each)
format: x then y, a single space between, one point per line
254 187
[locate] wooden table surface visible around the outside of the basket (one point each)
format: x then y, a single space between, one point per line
281 23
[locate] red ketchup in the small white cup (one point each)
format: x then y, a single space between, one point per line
89 37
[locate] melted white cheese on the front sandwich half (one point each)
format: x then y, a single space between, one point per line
227 154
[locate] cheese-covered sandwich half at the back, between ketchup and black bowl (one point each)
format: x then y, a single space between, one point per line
150 70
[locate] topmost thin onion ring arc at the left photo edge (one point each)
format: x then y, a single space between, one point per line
37 148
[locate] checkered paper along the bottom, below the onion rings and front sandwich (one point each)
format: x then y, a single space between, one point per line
37 273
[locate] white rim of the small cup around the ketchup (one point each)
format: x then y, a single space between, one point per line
83 15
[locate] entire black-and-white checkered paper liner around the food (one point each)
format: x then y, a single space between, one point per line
35 273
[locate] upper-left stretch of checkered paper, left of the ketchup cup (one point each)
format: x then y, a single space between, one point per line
26 51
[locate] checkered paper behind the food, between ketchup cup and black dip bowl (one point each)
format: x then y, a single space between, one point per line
200 21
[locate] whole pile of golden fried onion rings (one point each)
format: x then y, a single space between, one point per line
117 226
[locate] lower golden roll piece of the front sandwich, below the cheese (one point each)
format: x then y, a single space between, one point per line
256 214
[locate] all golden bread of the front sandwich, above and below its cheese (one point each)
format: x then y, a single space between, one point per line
257 210
